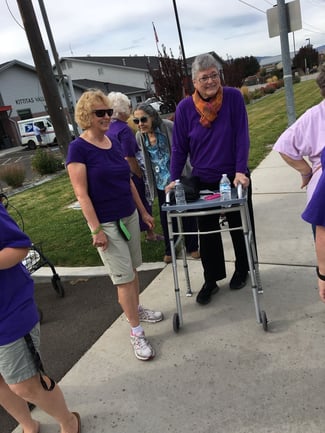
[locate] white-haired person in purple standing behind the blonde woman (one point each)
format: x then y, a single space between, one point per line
125 135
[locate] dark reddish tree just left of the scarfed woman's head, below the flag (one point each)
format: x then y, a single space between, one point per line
168 79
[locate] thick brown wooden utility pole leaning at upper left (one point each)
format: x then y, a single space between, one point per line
45 74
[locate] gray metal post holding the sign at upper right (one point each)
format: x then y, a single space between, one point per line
286 61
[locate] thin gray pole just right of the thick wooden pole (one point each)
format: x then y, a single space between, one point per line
70 107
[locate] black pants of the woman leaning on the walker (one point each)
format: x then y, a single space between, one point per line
211 247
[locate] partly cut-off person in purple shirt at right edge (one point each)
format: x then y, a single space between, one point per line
315 215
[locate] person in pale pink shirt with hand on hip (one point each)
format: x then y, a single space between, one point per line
306 138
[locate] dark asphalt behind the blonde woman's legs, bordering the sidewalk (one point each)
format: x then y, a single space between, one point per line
71 325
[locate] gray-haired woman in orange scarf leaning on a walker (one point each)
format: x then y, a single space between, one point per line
211 127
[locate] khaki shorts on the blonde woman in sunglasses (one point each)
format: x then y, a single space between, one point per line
121 257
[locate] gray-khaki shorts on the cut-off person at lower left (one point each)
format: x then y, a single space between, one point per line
16 361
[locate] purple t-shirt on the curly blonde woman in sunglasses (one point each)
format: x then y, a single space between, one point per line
108 178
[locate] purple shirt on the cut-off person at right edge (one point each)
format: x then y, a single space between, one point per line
315 210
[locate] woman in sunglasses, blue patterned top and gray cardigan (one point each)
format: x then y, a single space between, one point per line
154 138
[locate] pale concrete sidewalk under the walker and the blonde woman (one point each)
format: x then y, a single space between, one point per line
221 373
